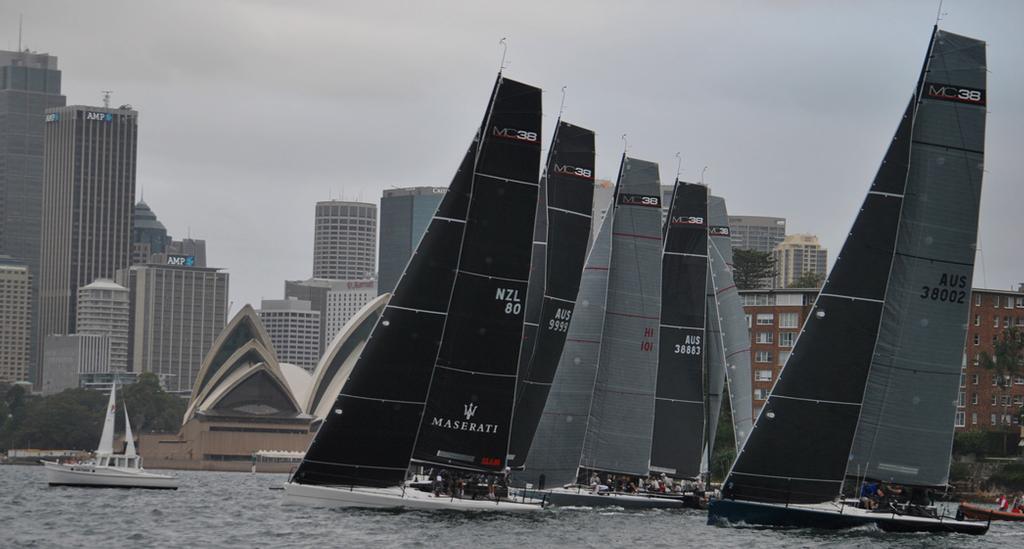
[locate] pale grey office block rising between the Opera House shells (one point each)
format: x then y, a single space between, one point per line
294 331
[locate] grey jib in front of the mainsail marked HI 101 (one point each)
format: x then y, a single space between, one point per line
554 455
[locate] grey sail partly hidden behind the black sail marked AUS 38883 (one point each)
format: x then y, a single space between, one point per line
735 354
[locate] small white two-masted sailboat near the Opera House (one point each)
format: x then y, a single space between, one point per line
109 470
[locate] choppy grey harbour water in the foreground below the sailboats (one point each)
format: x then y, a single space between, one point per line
240 511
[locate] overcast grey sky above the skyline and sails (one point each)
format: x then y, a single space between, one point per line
253 111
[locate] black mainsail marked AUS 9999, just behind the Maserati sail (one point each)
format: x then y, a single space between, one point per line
562 235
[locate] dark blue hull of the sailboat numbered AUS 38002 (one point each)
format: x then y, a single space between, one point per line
830 517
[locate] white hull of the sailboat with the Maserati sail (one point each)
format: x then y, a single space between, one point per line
393 498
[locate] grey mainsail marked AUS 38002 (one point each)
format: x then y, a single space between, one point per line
906 430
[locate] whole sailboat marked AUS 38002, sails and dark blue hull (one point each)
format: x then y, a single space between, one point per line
869 394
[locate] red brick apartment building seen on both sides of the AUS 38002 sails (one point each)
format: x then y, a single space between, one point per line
776 317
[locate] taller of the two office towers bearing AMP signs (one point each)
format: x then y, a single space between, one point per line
89 201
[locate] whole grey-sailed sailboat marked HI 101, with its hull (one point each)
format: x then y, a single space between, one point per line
600 416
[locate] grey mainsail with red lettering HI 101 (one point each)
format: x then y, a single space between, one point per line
622 417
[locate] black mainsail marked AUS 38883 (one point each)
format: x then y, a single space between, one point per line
679 401
